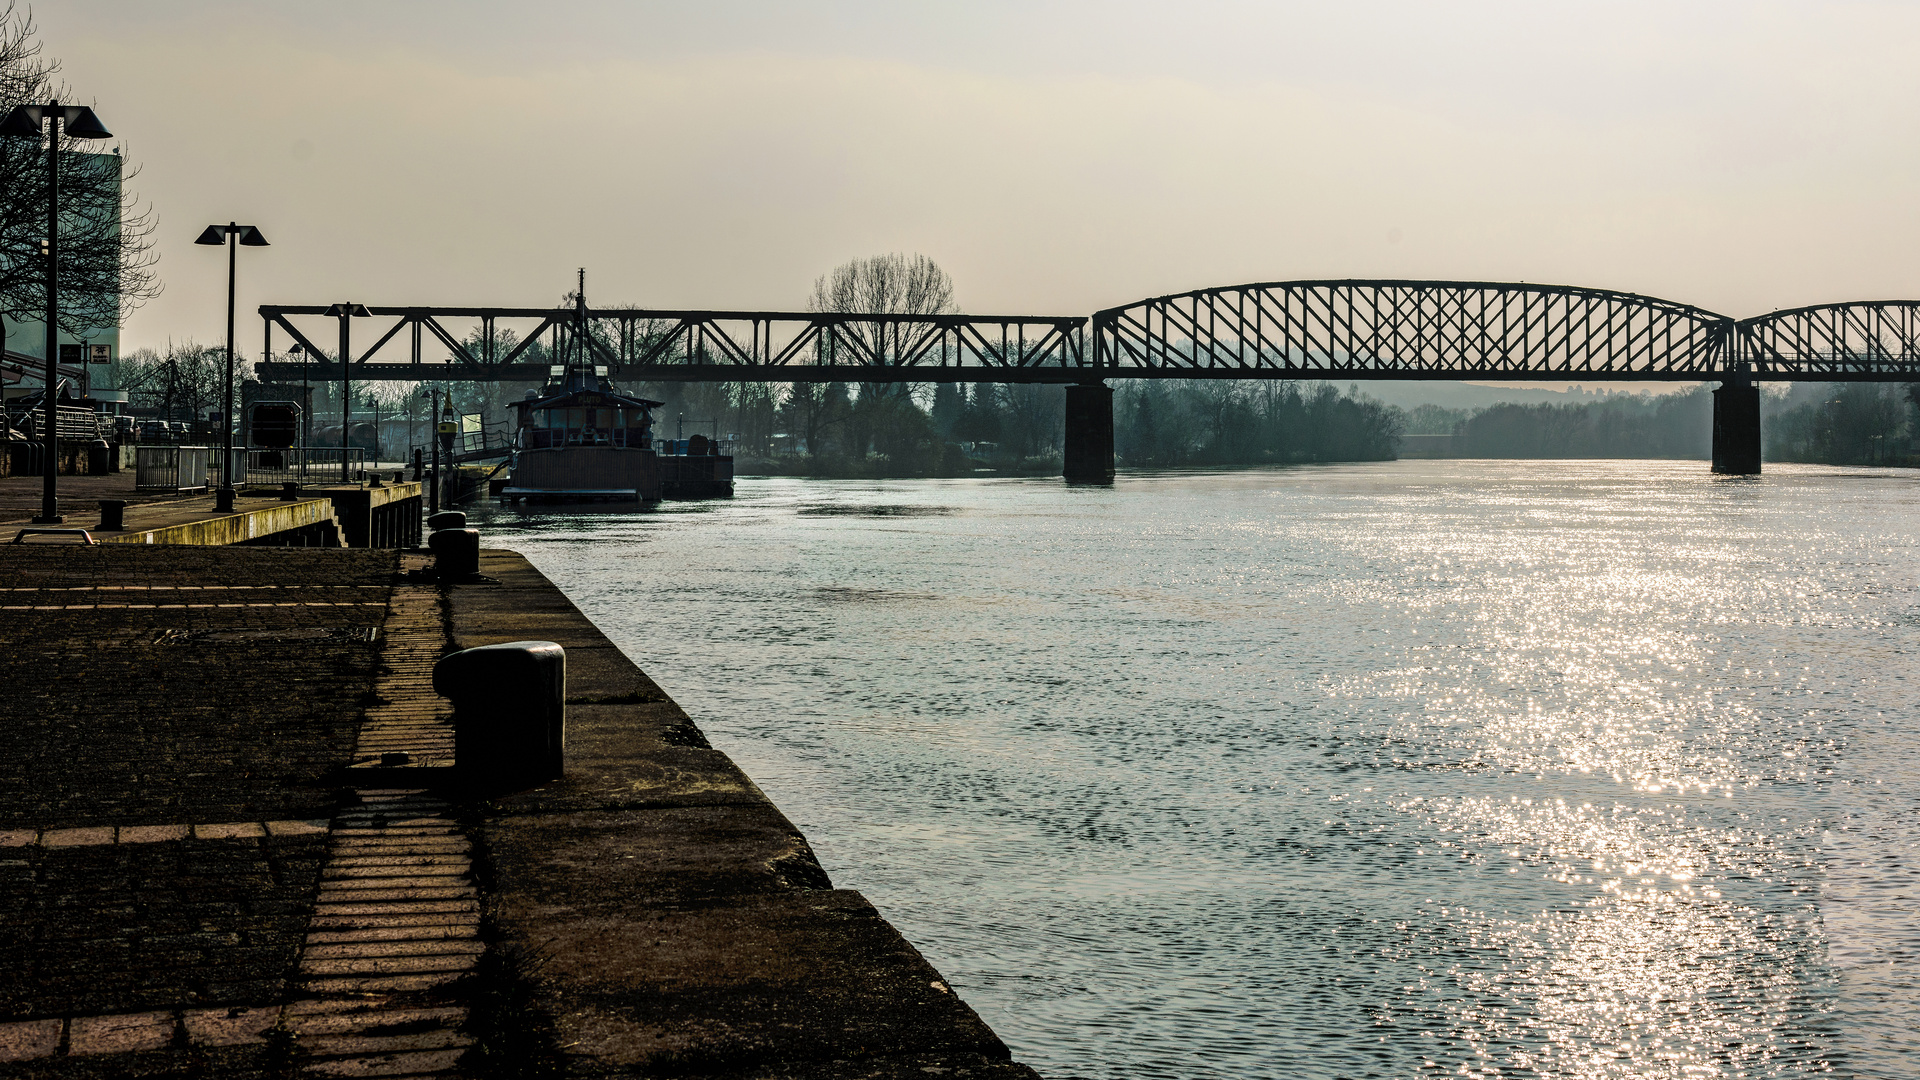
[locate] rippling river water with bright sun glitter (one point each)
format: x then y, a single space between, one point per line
1422 768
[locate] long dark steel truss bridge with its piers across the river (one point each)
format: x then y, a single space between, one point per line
1295 330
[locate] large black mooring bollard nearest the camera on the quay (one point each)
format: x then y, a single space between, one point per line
510 714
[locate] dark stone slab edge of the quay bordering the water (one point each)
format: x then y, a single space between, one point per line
663 918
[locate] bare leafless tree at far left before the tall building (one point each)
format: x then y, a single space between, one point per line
107 239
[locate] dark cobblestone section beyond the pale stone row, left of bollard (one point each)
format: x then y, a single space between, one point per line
143 702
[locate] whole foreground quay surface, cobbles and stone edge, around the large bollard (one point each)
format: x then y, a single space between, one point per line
212 866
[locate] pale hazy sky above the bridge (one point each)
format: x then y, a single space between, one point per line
1055 159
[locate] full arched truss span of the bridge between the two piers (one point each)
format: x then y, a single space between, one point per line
1412 330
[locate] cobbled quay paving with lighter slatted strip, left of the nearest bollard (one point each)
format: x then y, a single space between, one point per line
185 898
